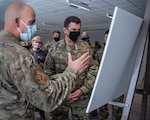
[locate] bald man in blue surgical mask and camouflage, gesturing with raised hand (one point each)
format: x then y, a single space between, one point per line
21 78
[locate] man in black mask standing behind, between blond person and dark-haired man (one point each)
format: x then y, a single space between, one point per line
55 37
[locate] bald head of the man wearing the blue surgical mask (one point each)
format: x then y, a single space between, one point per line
14 14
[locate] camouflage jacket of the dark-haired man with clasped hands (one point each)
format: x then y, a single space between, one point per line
57 59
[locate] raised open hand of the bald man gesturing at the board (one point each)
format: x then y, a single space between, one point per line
80 64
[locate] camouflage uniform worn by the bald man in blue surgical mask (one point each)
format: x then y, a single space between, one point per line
21 79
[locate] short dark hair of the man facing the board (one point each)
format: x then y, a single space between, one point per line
70 19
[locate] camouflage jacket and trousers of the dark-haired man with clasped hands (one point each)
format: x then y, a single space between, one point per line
56 62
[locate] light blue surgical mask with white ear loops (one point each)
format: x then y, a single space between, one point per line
29 34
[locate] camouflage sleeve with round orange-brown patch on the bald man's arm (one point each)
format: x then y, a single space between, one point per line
36 87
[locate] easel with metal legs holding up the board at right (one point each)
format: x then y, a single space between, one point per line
132 88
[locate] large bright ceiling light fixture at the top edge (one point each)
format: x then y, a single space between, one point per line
78 4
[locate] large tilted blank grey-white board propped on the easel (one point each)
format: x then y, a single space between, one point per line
118 59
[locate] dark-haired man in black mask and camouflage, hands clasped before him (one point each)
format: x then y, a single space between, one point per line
56 62
